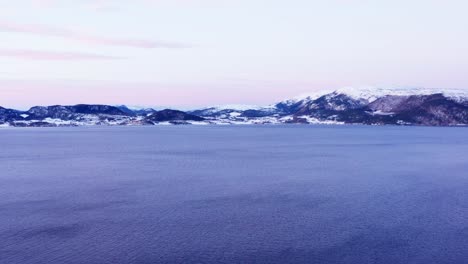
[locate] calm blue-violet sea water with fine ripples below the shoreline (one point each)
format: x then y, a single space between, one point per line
235 194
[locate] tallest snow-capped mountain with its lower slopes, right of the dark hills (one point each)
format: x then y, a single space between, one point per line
363 105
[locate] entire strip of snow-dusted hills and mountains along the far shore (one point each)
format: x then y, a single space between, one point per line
370 106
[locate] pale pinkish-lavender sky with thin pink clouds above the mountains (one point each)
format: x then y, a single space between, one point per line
189 53
